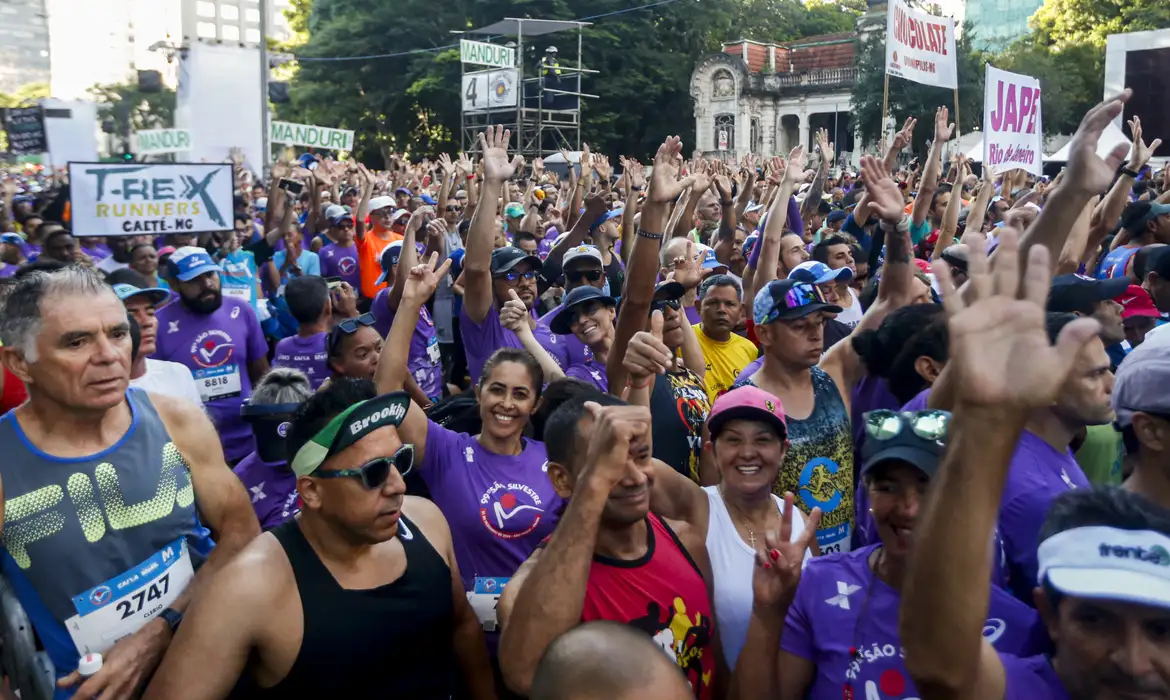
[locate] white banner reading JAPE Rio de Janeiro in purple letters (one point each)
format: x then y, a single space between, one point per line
1013 135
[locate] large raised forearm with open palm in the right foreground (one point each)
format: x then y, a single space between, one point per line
949 578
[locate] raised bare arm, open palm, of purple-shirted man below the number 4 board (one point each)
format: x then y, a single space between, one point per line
481 236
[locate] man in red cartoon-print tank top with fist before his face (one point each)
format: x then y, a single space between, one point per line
611 558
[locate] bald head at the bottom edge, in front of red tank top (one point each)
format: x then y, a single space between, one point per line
607 661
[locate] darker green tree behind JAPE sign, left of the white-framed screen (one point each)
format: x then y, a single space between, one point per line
1072 79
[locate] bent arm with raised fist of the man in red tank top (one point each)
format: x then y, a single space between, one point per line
552 598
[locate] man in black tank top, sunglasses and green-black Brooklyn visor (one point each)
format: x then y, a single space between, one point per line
359 598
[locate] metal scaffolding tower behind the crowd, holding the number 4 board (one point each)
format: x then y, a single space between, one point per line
547 113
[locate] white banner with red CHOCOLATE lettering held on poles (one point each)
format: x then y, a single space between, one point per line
920 47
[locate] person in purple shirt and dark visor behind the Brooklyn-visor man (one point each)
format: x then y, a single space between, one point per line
265 471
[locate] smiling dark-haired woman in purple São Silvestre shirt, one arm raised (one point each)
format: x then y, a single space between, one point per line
493 488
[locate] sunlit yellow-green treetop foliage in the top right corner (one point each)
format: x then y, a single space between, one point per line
1072 23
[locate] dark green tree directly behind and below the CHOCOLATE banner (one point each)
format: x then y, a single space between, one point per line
909 99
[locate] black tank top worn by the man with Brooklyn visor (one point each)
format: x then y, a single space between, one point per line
390 642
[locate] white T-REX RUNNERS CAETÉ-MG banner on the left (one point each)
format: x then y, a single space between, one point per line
150 198
